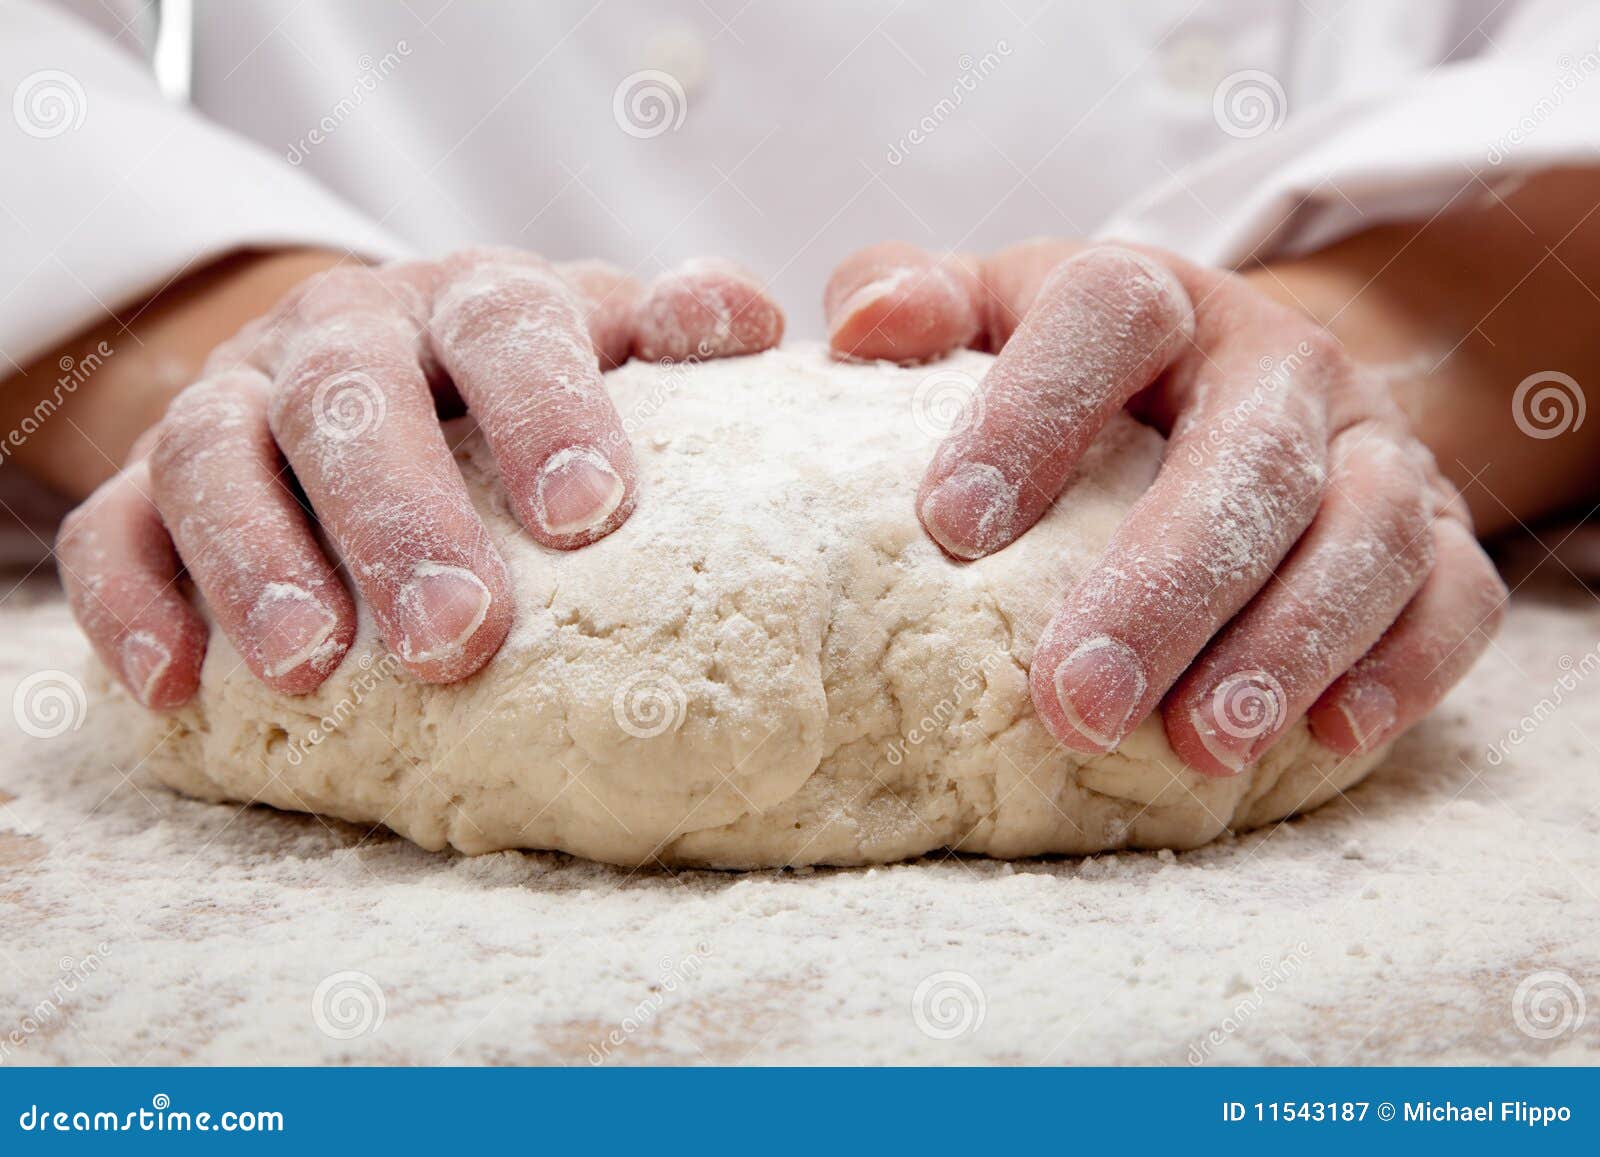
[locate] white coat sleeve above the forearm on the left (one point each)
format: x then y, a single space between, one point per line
113 193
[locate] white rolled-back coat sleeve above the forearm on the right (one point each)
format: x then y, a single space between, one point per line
1446 137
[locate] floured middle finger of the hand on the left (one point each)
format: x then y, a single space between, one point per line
353 414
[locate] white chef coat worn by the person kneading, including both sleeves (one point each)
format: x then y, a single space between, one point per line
785 134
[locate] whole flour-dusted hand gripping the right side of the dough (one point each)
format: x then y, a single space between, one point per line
1298 553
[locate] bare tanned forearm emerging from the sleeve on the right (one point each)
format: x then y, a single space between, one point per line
1457 314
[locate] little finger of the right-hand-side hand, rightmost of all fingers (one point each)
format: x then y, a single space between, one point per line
1425 654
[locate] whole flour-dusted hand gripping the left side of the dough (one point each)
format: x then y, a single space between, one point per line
342 385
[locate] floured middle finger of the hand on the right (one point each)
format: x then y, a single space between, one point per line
1242 479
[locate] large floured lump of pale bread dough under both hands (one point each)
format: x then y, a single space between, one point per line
767 665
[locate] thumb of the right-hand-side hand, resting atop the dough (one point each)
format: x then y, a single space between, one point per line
900 303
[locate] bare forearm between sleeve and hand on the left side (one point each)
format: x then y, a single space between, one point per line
71 417
